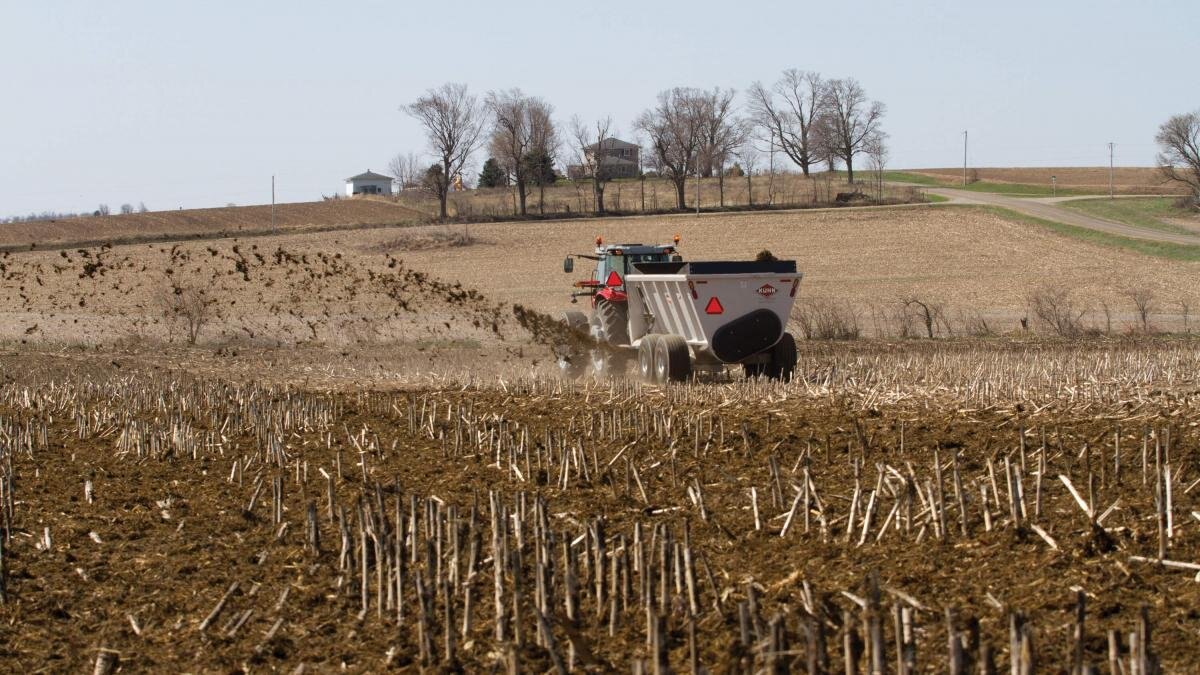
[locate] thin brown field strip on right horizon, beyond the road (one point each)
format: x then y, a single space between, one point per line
1126 181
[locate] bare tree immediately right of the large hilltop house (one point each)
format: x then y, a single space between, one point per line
675 129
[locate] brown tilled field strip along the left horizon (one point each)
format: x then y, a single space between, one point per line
226 222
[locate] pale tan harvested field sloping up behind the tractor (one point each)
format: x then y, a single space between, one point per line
346 289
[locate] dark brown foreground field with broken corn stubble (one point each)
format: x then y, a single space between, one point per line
183 523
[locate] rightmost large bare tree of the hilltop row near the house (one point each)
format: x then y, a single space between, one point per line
847 122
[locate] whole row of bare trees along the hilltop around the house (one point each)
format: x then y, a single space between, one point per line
688 133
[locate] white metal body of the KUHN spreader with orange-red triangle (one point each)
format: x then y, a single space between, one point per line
725 312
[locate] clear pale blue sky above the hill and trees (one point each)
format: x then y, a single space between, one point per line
199 104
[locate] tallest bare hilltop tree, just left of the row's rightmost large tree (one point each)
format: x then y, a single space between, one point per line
789 111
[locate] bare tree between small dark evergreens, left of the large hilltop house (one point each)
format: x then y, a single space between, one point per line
521 126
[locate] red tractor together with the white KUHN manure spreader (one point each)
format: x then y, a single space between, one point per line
681 318
